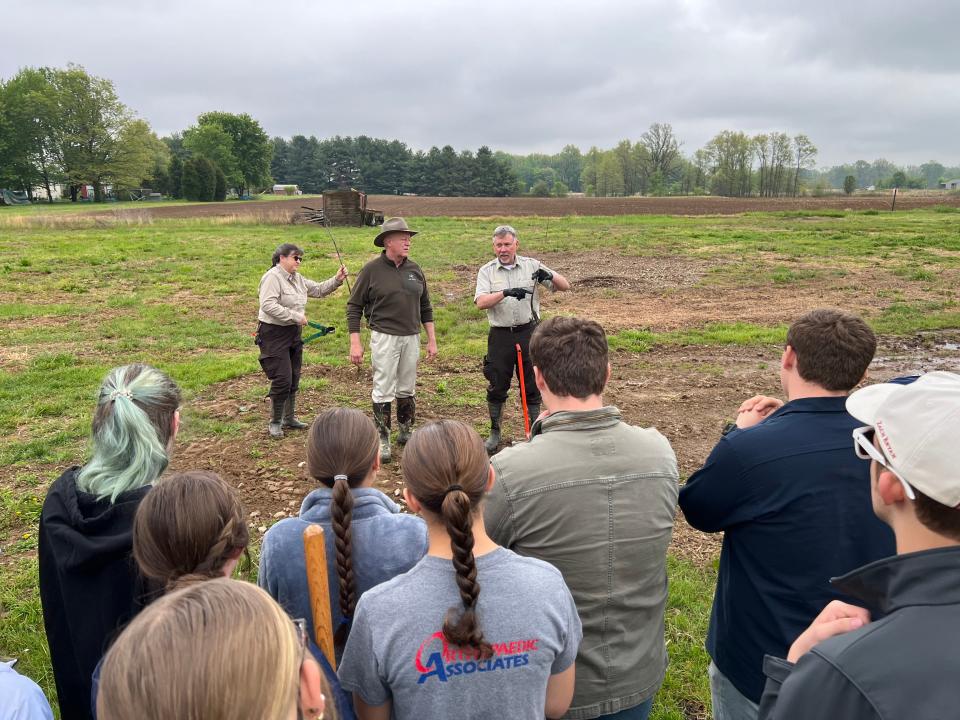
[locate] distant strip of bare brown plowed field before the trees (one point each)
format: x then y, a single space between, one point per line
548 207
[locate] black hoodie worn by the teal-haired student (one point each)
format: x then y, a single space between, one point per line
89 585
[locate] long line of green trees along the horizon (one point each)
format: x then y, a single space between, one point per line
64 126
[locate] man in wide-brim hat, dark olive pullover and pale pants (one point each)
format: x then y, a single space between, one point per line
391 293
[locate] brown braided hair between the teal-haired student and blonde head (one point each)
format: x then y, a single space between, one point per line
187 528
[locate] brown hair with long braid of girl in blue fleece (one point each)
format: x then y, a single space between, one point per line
342 447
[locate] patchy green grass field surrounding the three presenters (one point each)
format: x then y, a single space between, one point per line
181 294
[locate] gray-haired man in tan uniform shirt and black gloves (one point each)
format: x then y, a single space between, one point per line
503 285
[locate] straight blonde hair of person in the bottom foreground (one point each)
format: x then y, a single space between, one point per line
218 650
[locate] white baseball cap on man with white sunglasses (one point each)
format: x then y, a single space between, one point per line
918 426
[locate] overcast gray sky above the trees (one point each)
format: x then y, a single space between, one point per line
862 79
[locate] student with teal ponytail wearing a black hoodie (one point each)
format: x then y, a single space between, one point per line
89 585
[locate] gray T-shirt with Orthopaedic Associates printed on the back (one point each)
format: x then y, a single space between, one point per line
396 651
